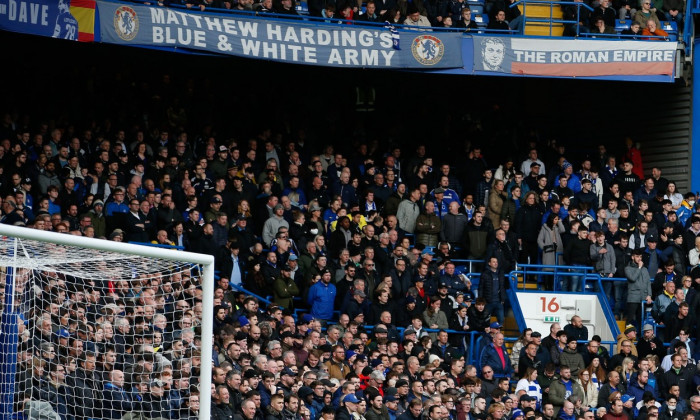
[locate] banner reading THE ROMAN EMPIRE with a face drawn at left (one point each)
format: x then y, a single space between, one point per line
572 58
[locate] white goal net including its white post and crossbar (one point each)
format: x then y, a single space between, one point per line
93 329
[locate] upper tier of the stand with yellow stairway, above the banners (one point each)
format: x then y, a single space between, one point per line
435 14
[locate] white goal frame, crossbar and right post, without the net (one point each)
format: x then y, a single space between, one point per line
8 323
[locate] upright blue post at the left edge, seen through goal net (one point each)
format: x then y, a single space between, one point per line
8 345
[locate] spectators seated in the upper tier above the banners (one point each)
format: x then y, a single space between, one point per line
643 17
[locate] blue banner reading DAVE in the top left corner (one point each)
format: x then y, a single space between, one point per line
49 18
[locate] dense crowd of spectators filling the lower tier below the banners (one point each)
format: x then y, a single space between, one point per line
364 245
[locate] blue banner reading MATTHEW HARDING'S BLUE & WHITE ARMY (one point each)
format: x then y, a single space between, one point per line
291 41
